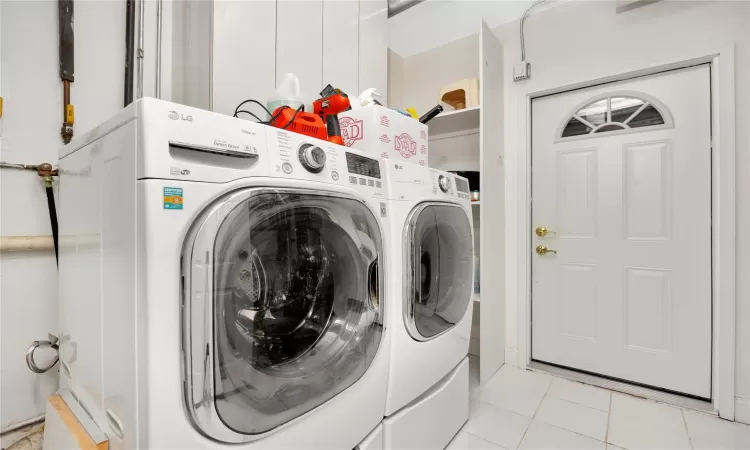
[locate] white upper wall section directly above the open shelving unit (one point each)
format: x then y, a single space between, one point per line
433 23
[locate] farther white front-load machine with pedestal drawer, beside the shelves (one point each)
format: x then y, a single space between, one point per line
428 383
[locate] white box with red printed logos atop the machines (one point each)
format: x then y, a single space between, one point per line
385 133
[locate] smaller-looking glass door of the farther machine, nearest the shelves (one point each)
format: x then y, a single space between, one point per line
440 272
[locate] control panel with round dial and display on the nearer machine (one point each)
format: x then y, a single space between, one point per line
292 155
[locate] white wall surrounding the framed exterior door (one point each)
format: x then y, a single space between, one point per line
581 41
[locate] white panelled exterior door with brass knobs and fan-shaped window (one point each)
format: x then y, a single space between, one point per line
621 180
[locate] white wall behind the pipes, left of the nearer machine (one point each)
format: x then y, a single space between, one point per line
32 118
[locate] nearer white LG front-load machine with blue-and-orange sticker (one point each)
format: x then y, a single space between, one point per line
221 284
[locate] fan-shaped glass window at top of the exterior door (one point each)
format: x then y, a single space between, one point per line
614 113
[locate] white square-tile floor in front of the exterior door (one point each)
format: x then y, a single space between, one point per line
529 410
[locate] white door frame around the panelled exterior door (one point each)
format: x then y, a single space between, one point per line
723 204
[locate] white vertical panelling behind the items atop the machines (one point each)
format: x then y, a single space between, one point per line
253 44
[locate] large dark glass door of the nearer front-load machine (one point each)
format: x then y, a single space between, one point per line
296 314
